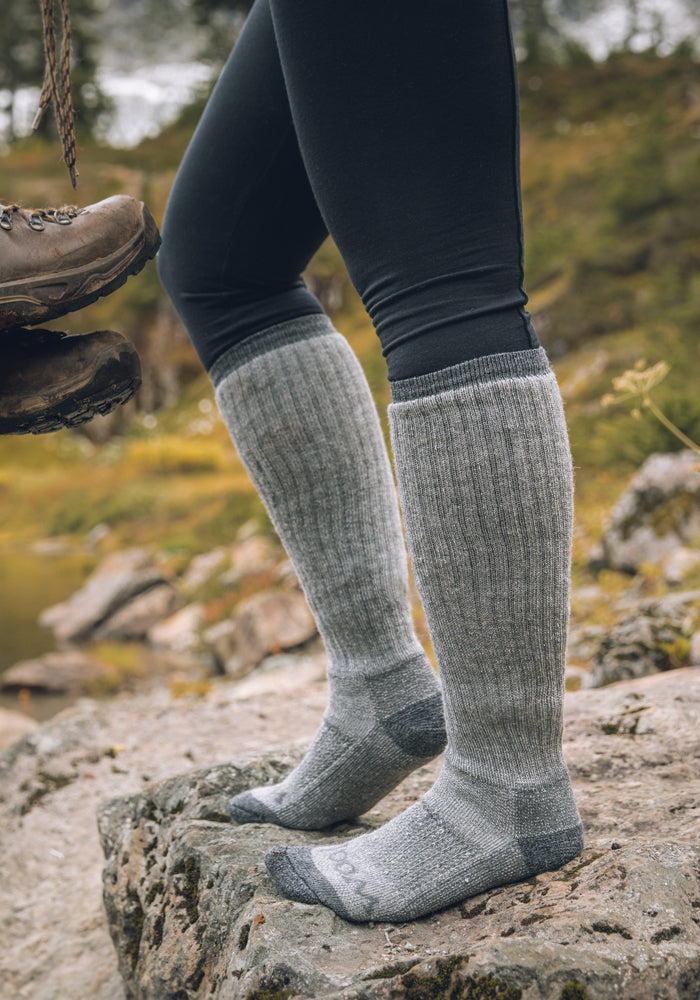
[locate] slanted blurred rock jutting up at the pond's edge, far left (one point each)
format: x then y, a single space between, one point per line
120 577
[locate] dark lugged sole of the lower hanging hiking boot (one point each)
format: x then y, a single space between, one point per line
111 384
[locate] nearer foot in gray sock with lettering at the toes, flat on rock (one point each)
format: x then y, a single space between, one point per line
462 838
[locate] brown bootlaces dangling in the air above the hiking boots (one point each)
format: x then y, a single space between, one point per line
56 87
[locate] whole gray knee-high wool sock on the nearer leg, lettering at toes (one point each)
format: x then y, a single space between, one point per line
485 480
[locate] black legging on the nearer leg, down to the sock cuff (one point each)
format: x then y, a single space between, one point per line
407 121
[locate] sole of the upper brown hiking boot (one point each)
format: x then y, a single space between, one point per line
27 309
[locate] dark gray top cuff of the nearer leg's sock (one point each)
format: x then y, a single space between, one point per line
490 368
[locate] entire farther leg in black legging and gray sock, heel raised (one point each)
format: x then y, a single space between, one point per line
302 418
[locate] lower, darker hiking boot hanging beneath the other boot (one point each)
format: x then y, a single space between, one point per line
49 380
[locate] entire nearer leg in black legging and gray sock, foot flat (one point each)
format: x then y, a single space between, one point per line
427 217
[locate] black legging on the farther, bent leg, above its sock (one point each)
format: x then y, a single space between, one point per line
241 223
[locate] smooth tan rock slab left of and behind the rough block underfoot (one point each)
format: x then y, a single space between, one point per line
55 942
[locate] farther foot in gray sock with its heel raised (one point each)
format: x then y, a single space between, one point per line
376 730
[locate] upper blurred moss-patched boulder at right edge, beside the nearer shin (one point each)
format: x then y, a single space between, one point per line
658 514
